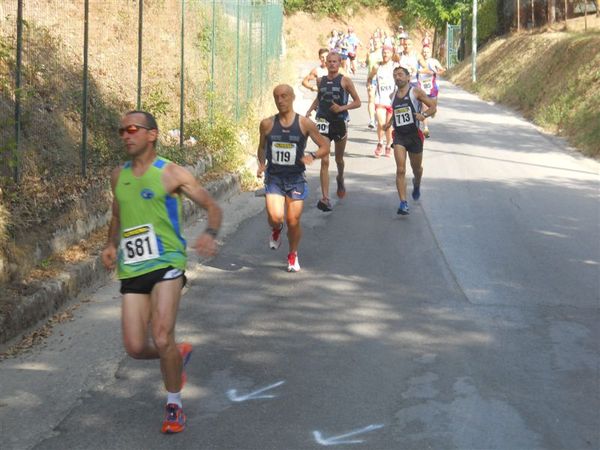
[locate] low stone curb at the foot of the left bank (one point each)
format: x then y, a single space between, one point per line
76 278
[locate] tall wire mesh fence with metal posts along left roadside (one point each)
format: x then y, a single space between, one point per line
65 80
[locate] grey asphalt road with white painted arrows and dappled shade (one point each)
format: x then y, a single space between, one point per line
472 323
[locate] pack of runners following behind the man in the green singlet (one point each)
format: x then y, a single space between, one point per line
402 90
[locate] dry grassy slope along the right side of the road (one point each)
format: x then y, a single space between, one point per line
553 79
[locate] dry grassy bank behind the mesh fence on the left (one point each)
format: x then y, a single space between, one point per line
51 193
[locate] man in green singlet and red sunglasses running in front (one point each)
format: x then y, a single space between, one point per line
146 246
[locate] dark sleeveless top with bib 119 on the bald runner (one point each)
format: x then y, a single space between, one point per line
285 148
